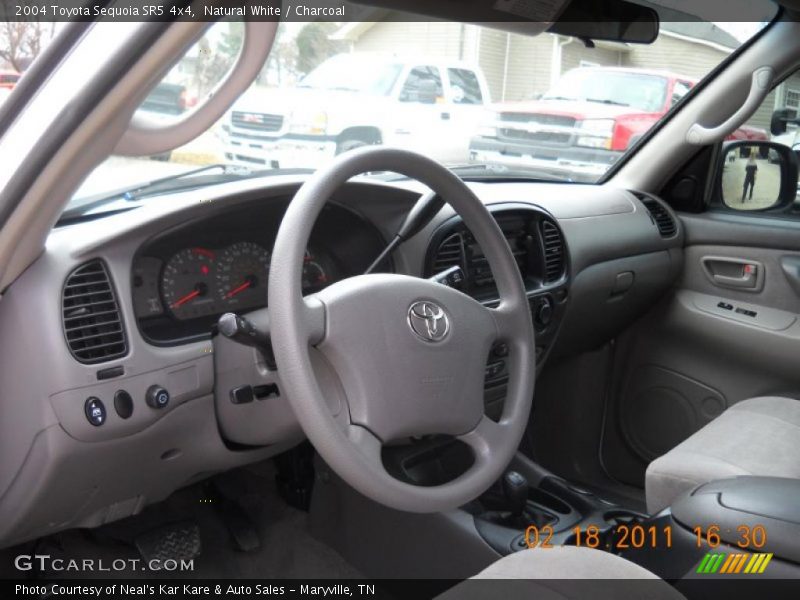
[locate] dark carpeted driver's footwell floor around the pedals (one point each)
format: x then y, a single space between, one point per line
287 548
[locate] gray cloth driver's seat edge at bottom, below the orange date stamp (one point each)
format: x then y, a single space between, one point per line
563 572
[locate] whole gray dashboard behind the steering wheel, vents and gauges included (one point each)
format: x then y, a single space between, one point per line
138 384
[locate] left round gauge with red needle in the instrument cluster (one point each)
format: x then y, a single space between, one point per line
187 283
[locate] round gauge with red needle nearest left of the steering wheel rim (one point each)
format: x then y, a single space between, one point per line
242 273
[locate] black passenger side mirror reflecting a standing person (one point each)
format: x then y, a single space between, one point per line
757 175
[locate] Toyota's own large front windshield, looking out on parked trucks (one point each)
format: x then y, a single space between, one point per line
487 102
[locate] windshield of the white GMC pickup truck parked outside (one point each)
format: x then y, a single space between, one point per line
365 76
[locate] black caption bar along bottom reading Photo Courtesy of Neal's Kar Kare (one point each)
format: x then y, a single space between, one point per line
398 589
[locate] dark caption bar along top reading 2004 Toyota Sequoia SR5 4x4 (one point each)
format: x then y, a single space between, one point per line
472 11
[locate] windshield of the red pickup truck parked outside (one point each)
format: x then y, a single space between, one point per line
635 90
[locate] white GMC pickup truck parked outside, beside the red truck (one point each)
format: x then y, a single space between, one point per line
359 99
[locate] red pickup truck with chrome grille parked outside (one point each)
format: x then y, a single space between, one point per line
579 128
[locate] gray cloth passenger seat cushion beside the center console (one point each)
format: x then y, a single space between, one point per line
759 436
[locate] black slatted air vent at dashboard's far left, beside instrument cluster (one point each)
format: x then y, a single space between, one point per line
91 317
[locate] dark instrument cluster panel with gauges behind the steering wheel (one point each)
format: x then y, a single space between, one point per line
184 279
